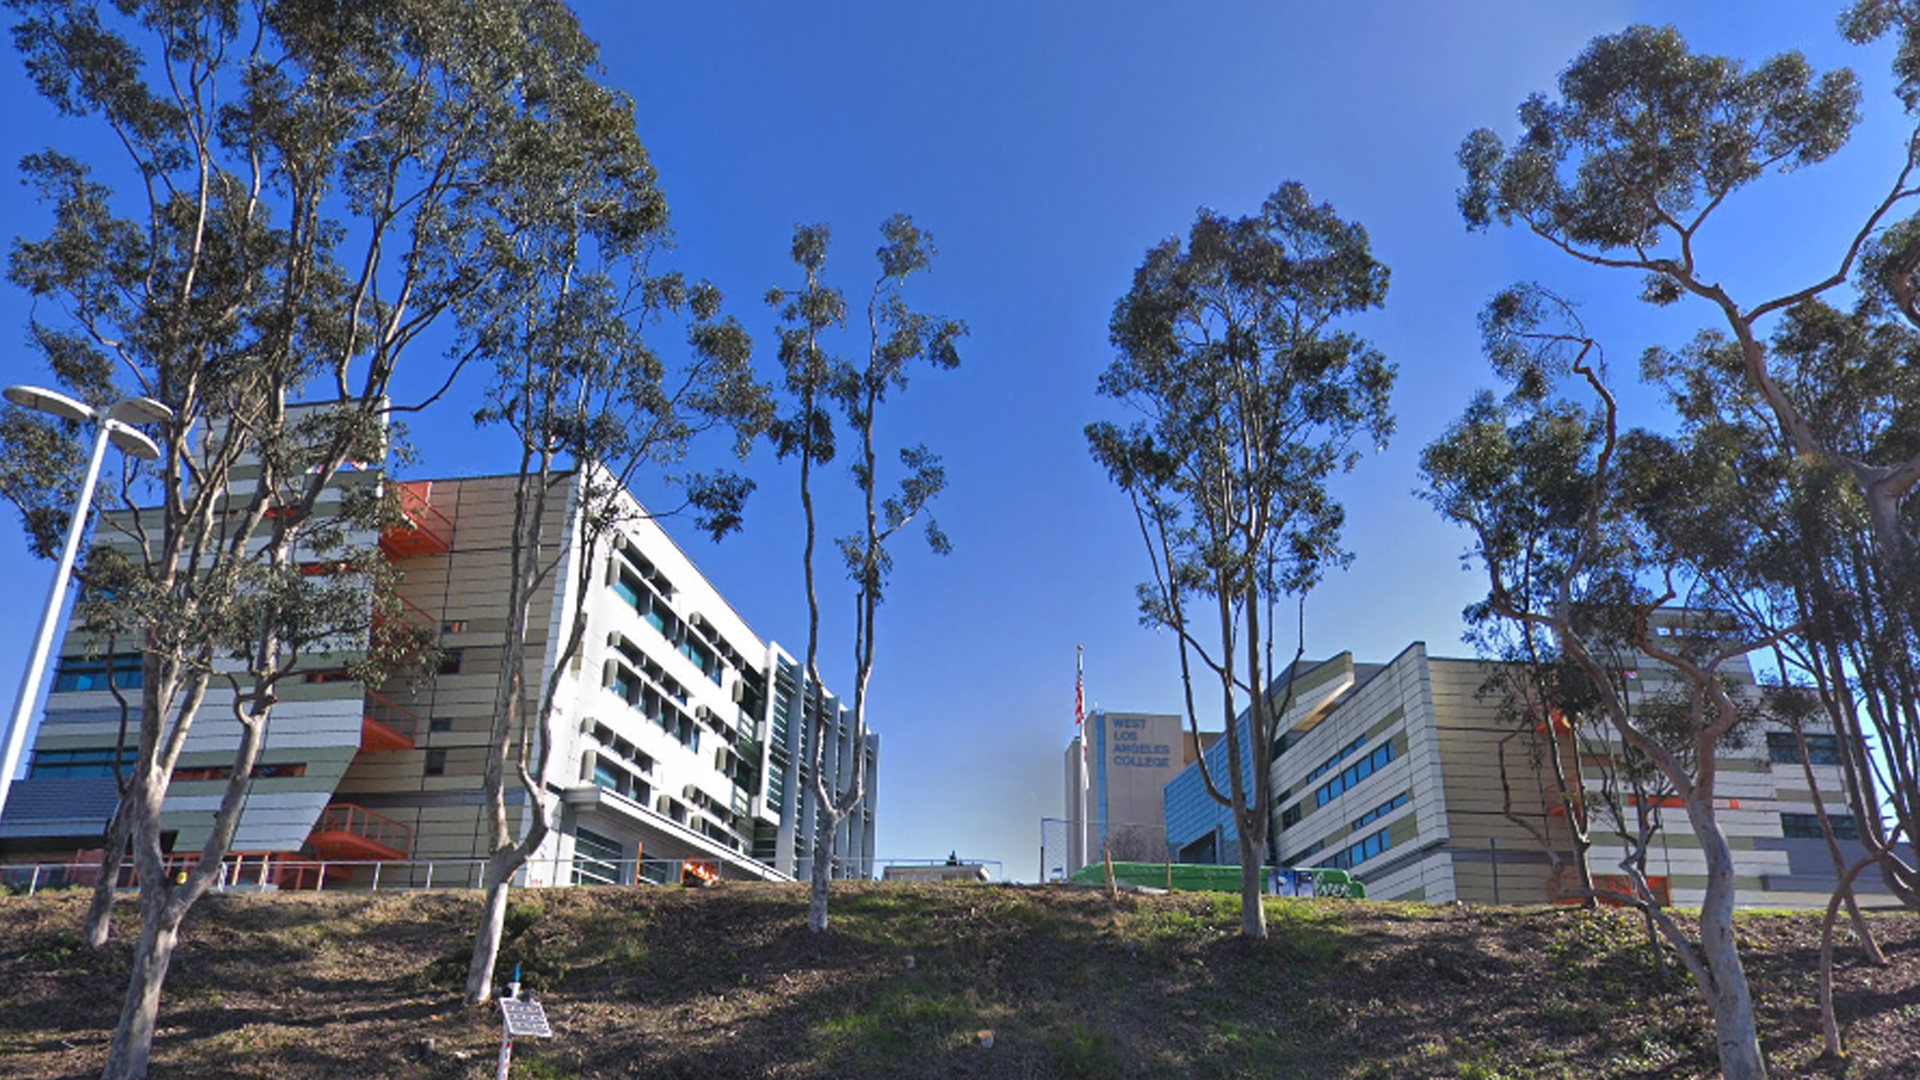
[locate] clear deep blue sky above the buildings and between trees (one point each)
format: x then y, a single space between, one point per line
1047 147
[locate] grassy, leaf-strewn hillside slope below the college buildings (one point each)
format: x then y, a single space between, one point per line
934 981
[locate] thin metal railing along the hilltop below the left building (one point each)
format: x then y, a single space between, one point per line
254 873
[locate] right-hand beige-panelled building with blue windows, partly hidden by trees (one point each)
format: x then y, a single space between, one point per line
1424 785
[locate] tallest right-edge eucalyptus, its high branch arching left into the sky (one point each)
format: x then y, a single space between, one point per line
1644 147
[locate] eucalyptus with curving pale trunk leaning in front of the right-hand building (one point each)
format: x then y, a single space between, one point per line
1573 524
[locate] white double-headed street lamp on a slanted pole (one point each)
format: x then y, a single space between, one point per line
118 430
